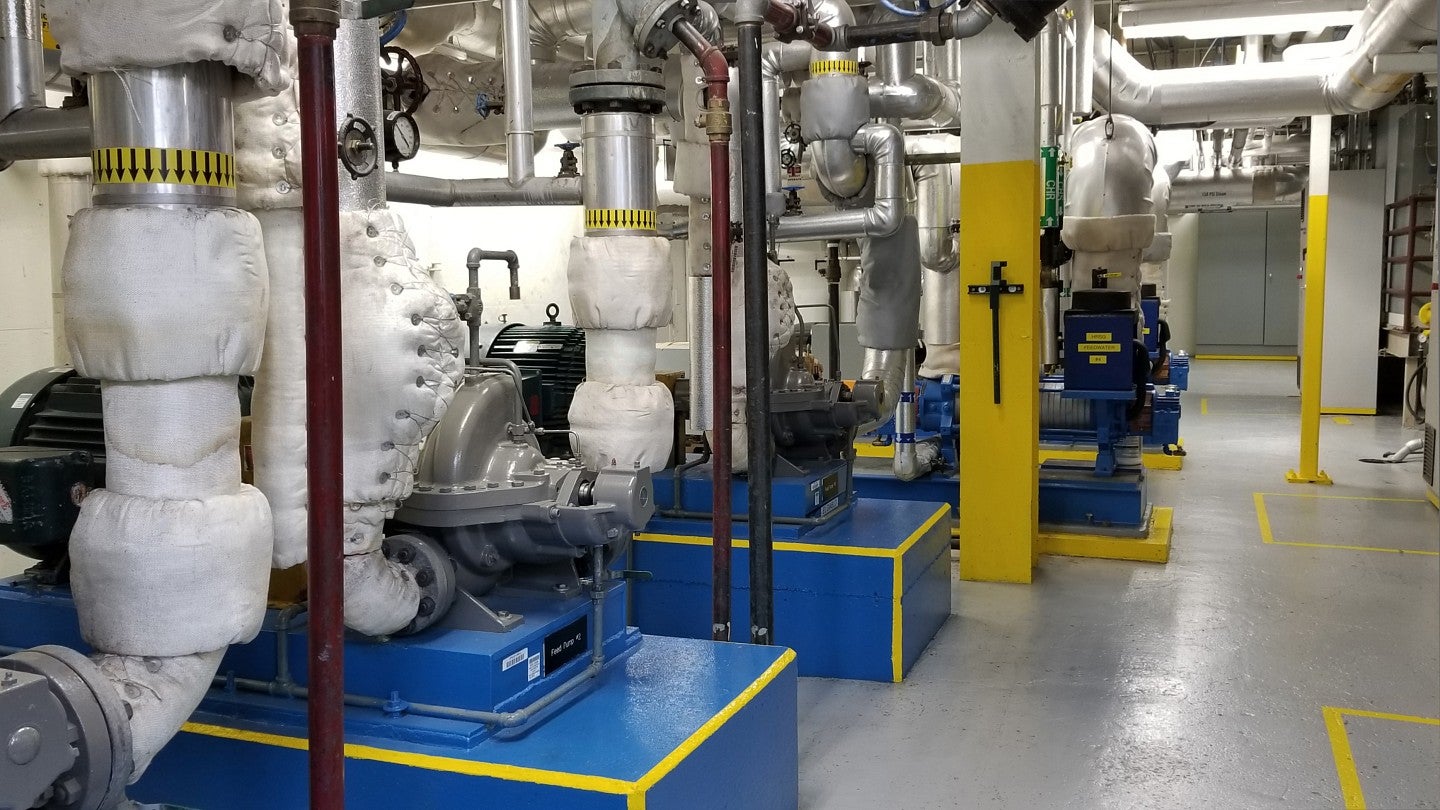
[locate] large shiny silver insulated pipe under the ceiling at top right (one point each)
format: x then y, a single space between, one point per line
1272 93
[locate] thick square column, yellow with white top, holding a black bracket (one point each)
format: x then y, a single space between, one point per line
1000 221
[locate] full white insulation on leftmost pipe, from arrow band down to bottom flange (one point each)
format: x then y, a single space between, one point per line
172 560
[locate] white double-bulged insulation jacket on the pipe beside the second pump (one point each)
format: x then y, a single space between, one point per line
621 295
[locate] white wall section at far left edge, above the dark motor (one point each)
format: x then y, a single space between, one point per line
27 322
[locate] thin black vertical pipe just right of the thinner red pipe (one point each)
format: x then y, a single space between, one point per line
757 341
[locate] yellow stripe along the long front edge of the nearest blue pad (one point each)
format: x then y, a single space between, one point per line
427 762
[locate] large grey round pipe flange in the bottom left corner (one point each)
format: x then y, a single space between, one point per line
104 756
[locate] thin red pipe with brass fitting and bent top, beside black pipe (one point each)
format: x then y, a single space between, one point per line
718 103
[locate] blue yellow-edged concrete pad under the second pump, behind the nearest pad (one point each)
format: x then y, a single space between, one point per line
856 599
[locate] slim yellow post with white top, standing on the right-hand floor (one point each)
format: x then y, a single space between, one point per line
1313 335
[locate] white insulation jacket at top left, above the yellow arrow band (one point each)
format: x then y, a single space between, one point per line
114 35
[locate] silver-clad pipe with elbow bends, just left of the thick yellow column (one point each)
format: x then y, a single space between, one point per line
885 145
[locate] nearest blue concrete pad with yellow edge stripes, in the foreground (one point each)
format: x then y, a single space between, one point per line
667 724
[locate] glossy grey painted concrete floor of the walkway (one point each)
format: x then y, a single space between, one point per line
1199 684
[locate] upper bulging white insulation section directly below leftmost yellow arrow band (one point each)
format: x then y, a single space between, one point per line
126 269
